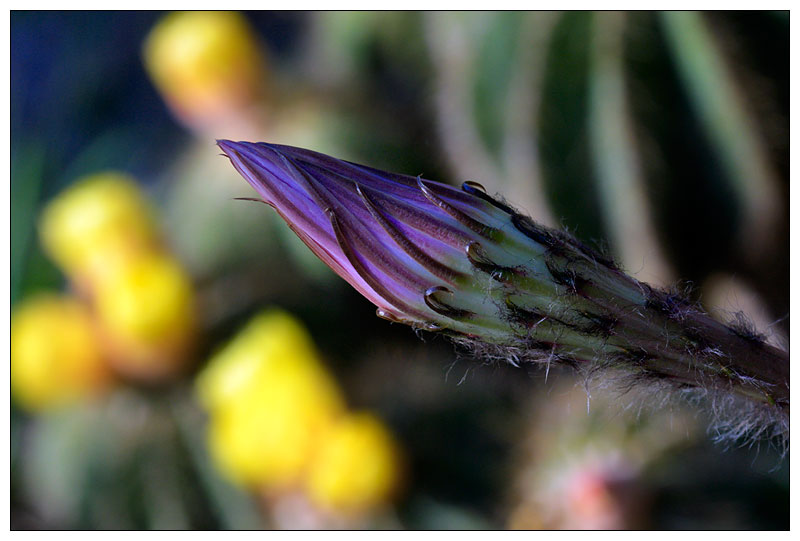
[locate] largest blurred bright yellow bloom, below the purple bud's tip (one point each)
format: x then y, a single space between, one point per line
269 399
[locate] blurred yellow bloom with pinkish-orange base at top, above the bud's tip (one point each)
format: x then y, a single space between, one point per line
206 64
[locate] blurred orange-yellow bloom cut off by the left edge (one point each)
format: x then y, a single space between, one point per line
55 355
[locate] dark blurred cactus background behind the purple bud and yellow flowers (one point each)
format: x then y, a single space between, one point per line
661 138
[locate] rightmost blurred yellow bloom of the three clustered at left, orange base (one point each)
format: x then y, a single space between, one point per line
146 310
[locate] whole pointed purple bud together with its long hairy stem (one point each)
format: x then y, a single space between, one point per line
462 262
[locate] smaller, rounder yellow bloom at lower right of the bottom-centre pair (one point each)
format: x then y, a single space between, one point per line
356 466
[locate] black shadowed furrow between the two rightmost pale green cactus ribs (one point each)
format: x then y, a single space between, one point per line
695 206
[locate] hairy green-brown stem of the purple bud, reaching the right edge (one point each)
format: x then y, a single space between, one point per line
583 309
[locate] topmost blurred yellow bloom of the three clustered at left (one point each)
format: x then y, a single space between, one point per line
97 224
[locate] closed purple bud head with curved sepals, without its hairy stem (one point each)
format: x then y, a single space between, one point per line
423 252
